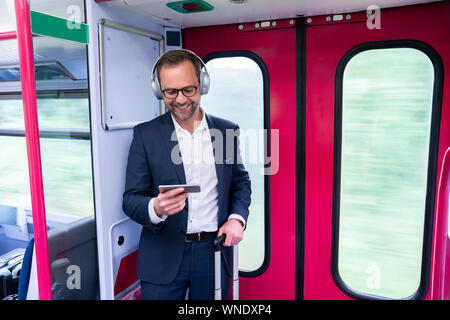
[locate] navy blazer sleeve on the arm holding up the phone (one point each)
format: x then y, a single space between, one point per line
138 184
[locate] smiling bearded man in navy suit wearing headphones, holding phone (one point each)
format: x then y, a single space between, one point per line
176 245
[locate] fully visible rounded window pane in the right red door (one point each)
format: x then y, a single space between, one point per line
382 171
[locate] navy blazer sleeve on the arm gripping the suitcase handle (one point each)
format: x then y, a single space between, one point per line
240 191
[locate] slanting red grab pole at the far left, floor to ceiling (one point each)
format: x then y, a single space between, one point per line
25 44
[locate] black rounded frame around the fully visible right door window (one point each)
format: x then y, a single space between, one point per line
430 196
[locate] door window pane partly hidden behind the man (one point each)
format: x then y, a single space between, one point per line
237 94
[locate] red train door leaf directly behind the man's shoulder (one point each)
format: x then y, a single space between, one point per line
272 45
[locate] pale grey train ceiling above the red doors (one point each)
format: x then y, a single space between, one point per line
240 11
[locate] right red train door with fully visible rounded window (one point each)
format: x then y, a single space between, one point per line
377 128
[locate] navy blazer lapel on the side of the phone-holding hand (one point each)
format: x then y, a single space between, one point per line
169 138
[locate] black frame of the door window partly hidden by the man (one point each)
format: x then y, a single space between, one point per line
266 123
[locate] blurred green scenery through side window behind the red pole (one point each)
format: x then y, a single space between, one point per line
66 162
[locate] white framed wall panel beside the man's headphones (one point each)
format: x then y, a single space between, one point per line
127 55
